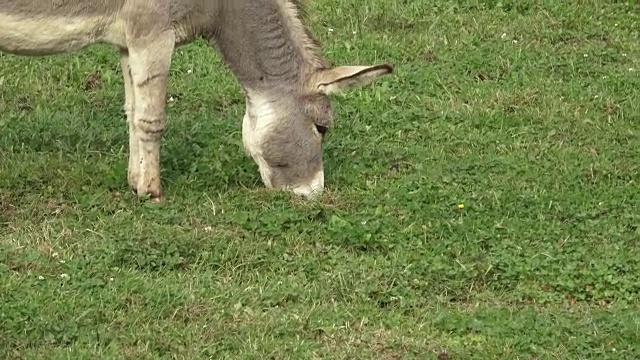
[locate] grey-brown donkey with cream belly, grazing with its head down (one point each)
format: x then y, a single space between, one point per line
285 79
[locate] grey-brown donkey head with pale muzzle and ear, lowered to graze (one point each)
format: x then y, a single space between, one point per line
283 129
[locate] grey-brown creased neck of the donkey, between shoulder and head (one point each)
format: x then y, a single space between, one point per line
265 44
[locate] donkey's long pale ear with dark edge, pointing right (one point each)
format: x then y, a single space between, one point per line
339 78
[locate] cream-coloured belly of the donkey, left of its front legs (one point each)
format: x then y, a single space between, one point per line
56 34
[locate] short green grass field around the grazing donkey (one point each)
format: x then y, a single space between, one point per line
526 112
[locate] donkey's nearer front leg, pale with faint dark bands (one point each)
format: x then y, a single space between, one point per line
149 60
